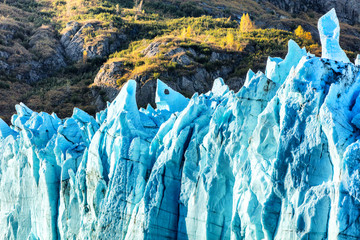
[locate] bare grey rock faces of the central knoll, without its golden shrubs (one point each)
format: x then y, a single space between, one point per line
219 63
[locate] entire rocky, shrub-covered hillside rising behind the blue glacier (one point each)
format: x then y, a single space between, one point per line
55 54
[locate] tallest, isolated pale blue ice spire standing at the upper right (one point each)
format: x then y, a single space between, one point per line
329 29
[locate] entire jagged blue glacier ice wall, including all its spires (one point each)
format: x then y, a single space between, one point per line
280 159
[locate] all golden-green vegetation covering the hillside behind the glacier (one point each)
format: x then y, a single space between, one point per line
191 25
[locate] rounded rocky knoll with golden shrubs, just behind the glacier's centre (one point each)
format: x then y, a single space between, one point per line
186 66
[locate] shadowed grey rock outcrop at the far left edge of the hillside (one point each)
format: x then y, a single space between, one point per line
42 56
